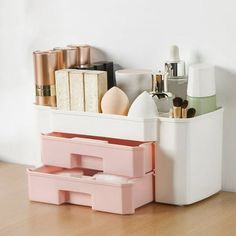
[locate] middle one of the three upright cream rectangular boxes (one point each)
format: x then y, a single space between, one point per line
76 82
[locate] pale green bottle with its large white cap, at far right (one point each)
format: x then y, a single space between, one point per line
201 91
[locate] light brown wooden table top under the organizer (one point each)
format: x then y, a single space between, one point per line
18 216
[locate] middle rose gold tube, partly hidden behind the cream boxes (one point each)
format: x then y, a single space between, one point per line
67 57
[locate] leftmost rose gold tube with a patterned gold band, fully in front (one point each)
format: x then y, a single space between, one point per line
45 64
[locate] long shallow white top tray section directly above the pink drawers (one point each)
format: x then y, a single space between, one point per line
112 126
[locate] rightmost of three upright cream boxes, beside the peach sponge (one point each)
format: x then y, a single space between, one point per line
95 86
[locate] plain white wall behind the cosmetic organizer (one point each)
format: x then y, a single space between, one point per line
134 34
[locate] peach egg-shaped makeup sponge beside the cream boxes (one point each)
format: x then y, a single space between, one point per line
115 101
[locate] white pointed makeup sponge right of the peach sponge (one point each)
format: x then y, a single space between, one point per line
143 106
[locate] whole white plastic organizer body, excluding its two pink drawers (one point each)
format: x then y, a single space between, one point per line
188 151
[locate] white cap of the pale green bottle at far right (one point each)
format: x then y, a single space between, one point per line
201 81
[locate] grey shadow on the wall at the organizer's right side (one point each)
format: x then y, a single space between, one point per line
226 86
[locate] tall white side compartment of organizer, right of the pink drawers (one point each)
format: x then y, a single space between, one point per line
189 158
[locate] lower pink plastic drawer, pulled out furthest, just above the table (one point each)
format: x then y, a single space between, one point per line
116 194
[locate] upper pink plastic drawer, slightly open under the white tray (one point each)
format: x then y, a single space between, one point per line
113 156
